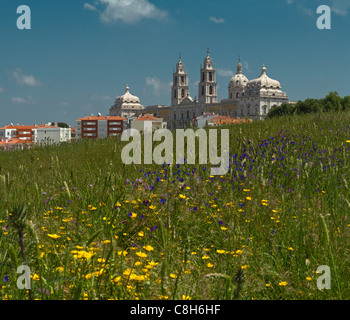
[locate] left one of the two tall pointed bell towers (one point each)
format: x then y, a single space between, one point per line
180 88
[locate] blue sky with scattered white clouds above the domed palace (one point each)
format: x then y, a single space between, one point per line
80 54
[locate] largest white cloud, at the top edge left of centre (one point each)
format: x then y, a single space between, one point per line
128 11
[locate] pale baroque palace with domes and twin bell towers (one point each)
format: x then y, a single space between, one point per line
246 98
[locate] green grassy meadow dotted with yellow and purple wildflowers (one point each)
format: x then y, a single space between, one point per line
258 232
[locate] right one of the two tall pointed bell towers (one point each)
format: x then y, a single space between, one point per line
207 87
